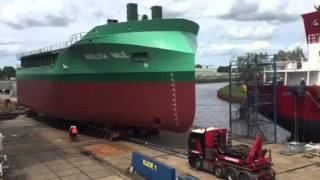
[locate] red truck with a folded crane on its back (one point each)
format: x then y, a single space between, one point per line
211 149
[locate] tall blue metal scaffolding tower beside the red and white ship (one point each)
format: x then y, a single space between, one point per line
254 113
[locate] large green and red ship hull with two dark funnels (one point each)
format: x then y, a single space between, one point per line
137 73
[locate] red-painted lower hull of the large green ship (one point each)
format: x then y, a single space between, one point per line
162 105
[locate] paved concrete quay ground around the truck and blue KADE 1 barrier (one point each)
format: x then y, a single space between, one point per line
38 150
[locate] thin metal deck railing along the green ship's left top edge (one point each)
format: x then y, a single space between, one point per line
73 39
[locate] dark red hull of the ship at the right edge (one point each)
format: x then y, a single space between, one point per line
306 109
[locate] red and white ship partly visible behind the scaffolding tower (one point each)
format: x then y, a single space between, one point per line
300 113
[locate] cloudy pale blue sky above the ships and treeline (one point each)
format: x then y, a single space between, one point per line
227 27
